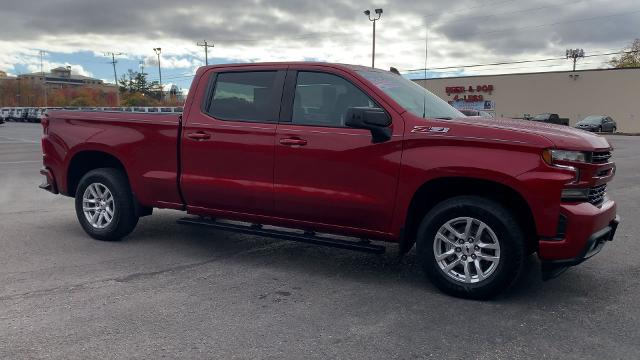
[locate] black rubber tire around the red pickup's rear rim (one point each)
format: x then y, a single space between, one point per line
124 218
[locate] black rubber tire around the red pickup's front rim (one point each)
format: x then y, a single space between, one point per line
509 236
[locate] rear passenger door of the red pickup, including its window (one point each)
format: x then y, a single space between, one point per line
228 140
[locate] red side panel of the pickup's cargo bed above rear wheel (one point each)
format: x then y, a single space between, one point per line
145 144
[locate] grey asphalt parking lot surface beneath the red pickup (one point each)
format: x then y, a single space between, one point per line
183 292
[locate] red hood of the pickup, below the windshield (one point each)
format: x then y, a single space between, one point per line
563 137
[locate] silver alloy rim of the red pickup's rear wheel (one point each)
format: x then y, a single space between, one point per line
98 205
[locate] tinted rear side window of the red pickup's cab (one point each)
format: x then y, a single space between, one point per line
248 96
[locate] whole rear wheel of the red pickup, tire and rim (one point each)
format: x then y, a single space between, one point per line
105 205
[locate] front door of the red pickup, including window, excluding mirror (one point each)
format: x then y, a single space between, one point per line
325 172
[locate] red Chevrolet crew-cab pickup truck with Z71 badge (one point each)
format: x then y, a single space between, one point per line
340 155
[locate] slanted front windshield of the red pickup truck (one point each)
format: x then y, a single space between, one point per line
411 96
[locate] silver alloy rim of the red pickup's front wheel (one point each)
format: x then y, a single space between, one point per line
466 249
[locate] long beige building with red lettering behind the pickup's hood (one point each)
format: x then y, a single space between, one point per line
571 94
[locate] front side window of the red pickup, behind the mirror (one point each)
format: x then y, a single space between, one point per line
323 99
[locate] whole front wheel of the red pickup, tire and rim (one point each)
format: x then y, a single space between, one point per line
471 247
